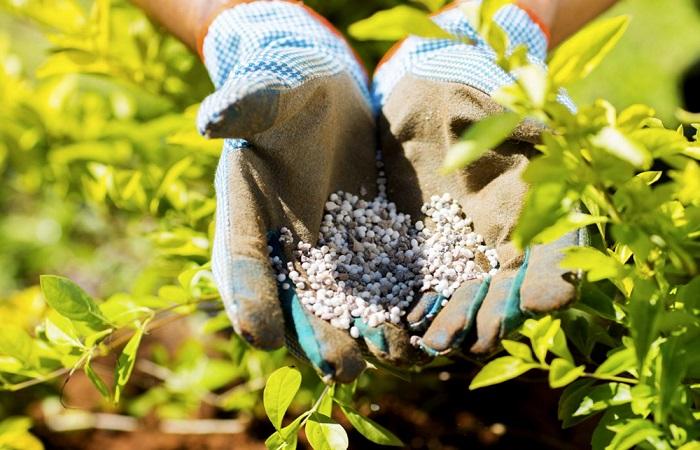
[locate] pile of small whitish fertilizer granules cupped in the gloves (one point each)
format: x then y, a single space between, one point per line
371 261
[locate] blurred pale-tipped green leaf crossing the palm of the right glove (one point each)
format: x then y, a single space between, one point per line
481 137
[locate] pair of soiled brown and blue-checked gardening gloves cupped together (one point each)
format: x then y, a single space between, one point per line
300 122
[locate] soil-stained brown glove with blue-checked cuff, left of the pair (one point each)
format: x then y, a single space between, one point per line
293 104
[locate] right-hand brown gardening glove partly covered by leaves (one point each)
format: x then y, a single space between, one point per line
430 91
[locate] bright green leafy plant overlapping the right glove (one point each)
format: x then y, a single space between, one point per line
637 324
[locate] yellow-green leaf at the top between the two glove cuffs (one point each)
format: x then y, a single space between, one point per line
396 23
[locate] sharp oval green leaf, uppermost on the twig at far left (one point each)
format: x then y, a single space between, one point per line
69 300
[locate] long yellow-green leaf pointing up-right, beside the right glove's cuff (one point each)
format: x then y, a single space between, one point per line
576 58
